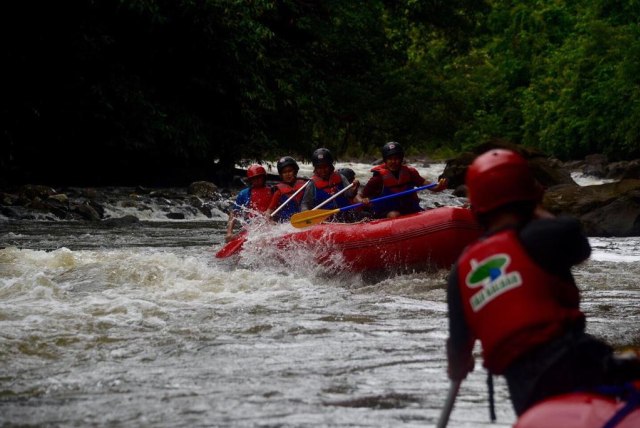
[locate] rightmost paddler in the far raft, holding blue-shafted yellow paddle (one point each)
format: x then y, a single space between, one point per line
394 177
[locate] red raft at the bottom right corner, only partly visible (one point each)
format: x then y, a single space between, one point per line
584 410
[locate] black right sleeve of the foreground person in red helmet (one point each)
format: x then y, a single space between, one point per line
556 244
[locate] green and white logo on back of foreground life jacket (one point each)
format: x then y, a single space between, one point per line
491 275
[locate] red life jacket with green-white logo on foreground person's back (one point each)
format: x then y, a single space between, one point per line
510 303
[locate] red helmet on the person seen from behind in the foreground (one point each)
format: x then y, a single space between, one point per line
499 177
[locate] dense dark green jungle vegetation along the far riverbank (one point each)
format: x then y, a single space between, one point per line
168 91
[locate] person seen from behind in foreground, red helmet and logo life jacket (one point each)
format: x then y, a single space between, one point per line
514 291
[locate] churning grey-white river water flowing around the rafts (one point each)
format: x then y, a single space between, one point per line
141 326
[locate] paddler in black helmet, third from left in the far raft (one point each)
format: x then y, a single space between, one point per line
326 182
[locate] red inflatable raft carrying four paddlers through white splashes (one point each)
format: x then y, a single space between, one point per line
429 239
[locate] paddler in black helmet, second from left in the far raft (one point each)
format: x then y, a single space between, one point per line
288 169
